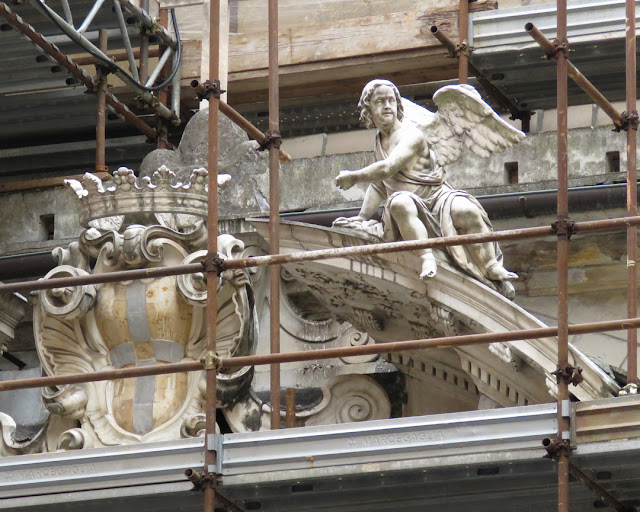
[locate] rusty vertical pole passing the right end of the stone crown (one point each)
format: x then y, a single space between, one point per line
212 245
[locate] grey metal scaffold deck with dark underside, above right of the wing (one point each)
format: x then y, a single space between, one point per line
515 64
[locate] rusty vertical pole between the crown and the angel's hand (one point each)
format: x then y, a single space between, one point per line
274 208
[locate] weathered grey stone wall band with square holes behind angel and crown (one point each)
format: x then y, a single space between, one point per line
308 183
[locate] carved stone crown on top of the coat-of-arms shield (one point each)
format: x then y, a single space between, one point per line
129 195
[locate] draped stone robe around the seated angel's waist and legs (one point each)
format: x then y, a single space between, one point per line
433 197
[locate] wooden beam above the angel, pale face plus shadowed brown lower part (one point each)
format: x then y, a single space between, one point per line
341 56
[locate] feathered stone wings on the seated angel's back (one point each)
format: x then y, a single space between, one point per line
463 121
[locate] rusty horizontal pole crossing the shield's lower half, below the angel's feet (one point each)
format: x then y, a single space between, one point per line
326 353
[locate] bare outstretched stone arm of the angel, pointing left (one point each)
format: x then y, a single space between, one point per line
410 147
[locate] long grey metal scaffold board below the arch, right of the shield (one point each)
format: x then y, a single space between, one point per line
404 443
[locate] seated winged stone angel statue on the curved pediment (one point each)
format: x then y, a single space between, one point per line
412 147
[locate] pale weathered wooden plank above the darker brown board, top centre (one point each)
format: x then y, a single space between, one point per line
346 38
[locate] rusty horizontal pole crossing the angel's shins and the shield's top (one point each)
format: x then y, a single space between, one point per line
323 254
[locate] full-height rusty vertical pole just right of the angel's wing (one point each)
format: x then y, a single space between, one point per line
563 253
